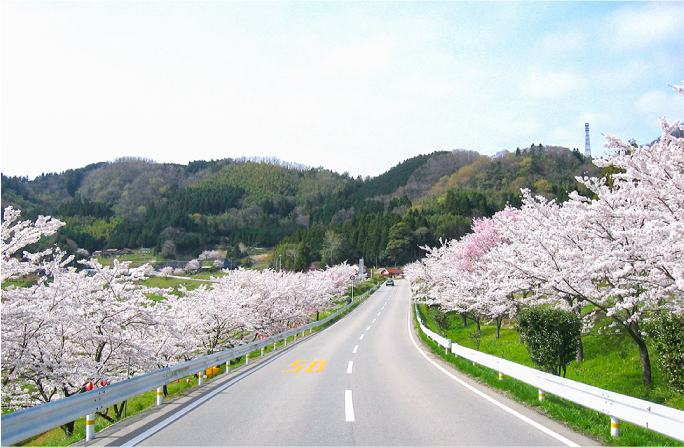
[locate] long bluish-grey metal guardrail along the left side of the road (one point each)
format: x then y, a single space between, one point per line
24 424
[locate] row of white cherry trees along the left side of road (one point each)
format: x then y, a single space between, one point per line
97 324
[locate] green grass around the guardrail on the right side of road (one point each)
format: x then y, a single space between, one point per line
609 364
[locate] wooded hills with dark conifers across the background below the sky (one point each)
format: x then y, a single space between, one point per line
310 214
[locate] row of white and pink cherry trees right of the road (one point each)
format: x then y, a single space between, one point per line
619 255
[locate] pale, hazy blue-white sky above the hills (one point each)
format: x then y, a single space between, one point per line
354 87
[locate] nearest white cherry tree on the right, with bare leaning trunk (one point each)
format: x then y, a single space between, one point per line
635 234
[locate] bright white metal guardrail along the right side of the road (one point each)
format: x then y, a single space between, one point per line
659 418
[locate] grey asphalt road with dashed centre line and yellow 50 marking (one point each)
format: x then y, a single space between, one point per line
363 381
